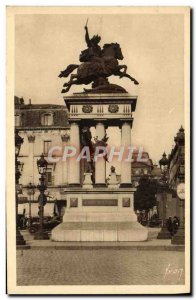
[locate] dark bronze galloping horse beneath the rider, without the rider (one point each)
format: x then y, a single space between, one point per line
98 69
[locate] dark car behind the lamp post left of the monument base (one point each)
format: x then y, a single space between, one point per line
48 225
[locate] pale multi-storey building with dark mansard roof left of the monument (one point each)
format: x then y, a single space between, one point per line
42 126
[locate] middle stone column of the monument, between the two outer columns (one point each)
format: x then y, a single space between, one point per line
100 163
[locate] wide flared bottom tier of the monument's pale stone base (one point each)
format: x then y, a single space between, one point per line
99 232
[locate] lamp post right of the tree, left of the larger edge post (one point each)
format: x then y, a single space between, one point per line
163 188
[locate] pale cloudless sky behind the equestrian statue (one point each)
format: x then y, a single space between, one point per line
153 50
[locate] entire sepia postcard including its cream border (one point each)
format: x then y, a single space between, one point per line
98 150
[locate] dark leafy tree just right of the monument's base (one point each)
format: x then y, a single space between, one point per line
145 195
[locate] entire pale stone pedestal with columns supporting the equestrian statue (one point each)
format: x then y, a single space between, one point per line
100 212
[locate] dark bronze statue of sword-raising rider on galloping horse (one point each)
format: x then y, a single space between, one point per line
96 66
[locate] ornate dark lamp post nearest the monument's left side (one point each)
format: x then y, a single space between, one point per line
42 199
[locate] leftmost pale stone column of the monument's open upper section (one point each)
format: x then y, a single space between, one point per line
73 164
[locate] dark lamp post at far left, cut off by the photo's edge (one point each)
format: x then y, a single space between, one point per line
18 188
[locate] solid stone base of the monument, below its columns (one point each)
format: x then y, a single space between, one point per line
101 215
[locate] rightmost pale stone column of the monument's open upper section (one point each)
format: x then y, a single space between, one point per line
125 165
